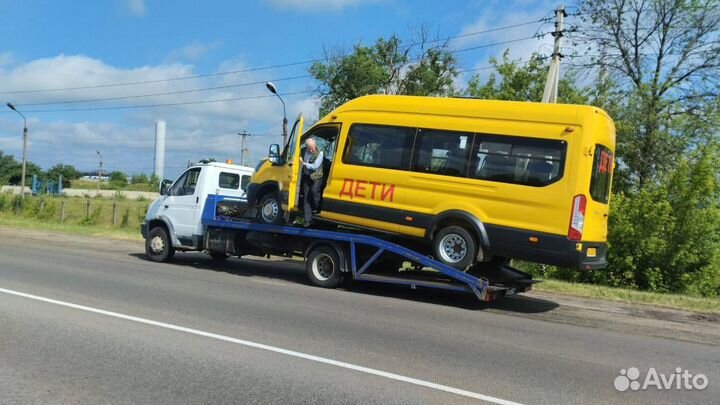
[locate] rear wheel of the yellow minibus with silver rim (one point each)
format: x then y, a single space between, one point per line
455 246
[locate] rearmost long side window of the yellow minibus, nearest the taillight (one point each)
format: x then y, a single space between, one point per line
517 160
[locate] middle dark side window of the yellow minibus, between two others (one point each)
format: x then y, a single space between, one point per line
442 152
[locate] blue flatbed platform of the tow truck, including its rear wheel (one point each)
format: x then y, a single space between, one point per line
336 257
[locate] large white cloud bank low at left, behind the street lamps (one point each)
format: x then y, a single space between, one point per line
126 137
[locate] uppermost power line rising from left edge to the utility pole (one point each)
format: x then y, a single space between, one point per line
253 69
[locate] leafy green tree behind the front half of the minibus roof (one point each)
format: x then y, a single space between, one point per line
386 67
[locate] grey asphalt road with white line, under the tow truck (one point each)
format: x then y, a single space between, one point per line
246 331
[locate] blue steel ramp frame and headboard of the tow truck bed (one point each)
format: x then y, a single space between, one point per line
477 285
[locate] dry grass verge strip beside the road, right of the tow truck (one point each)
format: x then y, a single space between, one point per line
673 301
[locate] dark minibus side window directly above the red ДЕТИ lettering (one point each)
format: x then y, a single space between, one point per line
379 146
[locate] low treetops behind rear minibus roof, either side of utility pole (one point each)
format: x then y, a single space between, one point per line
523 83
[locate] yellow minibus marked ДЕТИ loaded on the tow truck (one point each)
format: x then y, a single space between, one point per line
476 180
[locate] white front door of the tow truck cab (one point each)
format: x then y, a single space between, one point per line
182 203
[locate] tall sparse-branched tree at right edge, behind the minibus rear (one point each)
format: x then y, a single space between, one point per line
665 56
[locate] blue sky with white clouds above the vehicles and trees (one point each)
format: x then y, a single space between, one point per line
66 44
